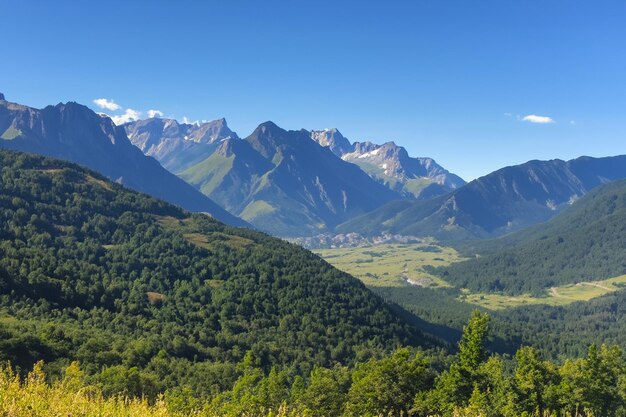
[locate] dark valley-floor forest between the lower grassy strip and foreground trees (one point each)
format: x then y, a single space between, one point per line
560 332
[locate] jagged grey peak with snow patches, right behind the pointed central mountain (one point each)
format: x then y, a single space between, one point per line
392 166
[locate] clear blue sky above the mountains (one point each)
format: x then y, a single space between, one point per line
453 80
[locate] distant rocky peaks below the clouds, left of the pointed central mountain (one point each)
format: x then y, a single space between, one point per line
177 146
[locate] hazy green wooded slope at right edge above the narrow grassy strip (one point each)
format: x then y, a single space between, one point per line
585 242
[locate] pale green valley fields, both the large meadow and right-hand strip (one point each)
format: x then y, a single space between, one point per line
402 265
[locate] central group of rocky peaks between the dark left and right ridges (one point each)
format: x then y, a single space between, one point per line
282 181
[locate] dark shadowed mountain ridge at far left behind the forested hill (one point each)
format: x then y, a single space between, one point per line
75 133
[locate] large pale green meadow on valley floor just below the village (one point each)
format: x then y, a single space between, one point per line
392 264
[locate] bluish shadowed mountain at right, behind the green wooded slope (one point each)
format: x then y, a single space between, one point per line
504 201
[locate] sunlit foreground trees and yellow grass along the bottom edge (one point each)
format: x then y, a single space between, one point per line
403 383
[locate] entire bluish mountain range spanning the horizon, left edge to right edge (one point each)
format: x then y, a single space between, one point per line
301 183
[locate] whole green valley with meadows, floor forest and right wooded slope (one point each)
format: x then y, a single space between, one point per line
557 286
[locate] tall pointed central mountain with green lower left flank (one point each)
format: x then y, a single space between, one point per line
283 182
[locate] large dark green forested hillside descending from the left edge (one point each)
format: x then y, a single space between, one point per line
124 283
